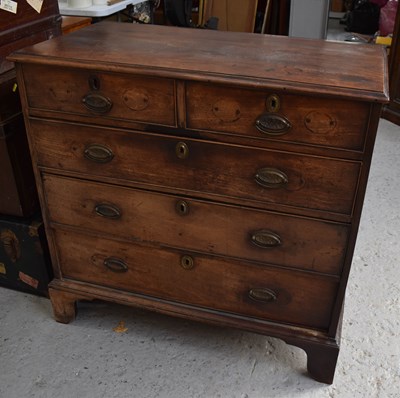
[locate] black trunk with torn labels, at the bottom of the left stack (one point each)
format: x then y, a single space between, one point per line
24 257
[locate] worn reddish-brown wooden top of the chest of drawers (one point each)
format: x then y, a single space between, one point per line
300 65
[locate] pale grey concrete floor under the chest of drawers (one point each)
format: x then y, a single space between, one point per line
159 356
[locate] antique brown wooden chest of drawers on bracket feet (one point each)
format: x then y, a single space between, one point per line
208 175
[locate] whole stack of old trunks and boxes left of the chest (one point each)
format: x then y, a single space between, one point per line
24 261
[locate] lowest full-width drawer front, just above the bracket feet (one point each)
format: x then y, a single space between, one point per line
256 291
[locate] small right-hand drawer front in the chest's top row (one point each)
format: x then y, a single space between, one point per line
270 115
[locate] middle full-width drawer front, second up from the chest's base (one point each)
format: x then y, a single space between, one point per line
195 225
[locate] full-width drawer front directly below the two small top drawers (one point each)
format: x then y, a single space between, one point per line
255 174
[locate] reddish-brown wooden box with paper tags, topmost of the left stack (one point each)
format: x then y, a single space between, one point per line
27 27
